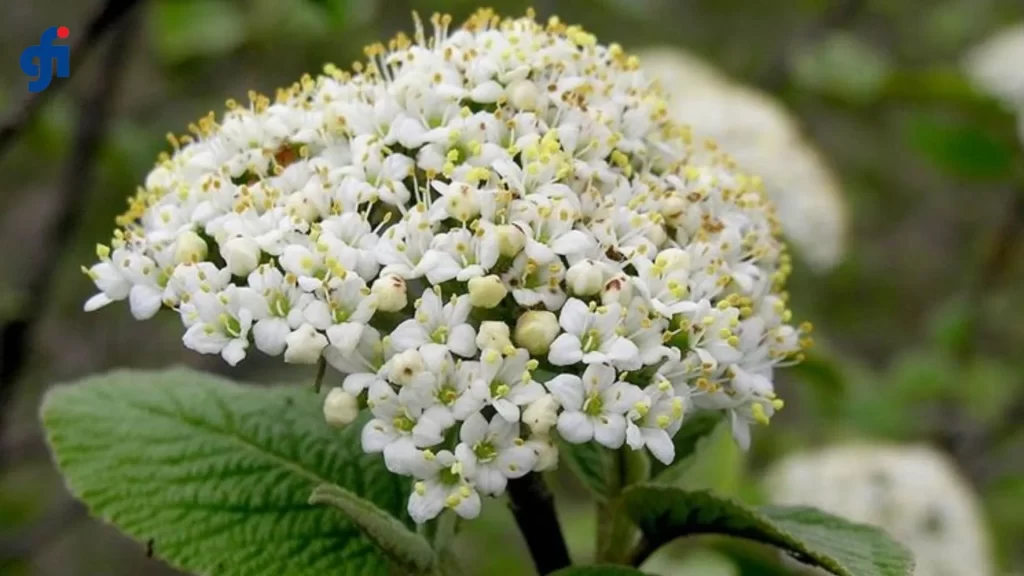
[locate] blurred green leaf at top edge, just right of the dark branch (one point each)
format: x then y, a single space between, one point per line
191 29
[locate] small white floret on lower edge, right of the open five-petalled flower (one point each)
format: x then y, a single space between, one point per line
655 421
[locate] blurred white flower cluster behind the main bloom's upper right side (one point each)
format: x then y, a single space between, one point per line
766 140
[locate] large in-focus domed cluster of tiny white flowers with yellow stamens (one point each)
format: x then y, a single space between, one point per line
473 211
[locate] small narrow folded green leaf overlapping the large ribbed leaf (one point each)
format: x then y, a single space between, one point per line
404 547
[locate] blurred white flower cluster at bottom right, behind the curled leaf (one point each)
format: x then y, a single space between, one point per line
913 492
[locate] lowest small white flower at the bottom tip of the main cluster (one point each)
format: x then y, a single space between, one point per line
443 485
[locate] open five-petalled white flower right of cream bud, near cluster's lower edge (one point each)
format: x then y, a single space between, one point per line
594 406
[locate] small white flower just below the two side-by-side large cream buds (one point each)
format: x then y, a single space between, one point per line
508 383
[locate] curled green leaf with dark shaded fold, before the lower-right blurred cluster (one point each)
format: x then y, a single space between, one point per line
813 537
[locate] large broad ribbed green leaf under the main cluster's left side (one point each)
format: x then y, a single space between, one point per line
216 477
